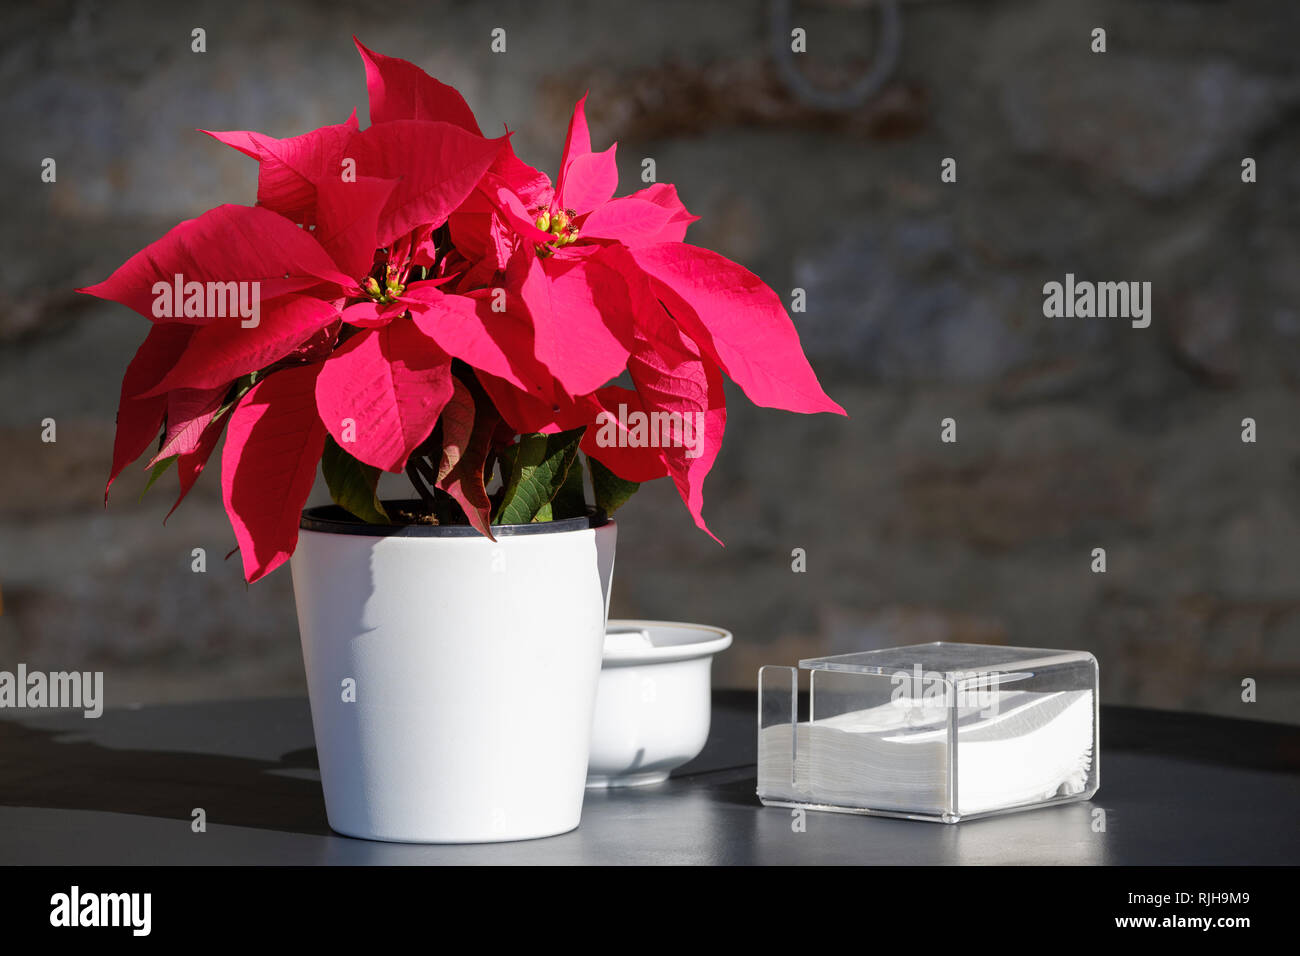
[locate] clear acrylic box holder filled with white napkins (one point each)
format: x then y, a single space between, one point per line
933 732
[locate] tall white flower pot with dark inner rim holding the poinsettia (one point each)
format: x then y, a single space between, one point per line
452 678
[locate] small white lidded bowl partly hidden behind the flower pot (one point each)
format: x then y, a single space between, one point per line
653 702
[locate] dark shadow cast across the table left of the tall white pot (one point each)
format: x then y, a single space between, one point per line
54 769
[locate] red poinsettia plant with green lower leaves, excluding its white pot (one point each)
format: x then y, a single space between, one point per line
415 299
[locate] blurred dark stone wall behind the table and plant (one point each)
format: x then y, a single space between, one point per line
925 301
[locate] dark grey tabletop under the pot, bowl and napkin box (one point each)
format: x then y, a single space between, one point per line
1177 789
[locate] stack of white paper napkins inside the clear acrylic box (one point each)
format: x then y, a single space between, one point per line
1026 749
